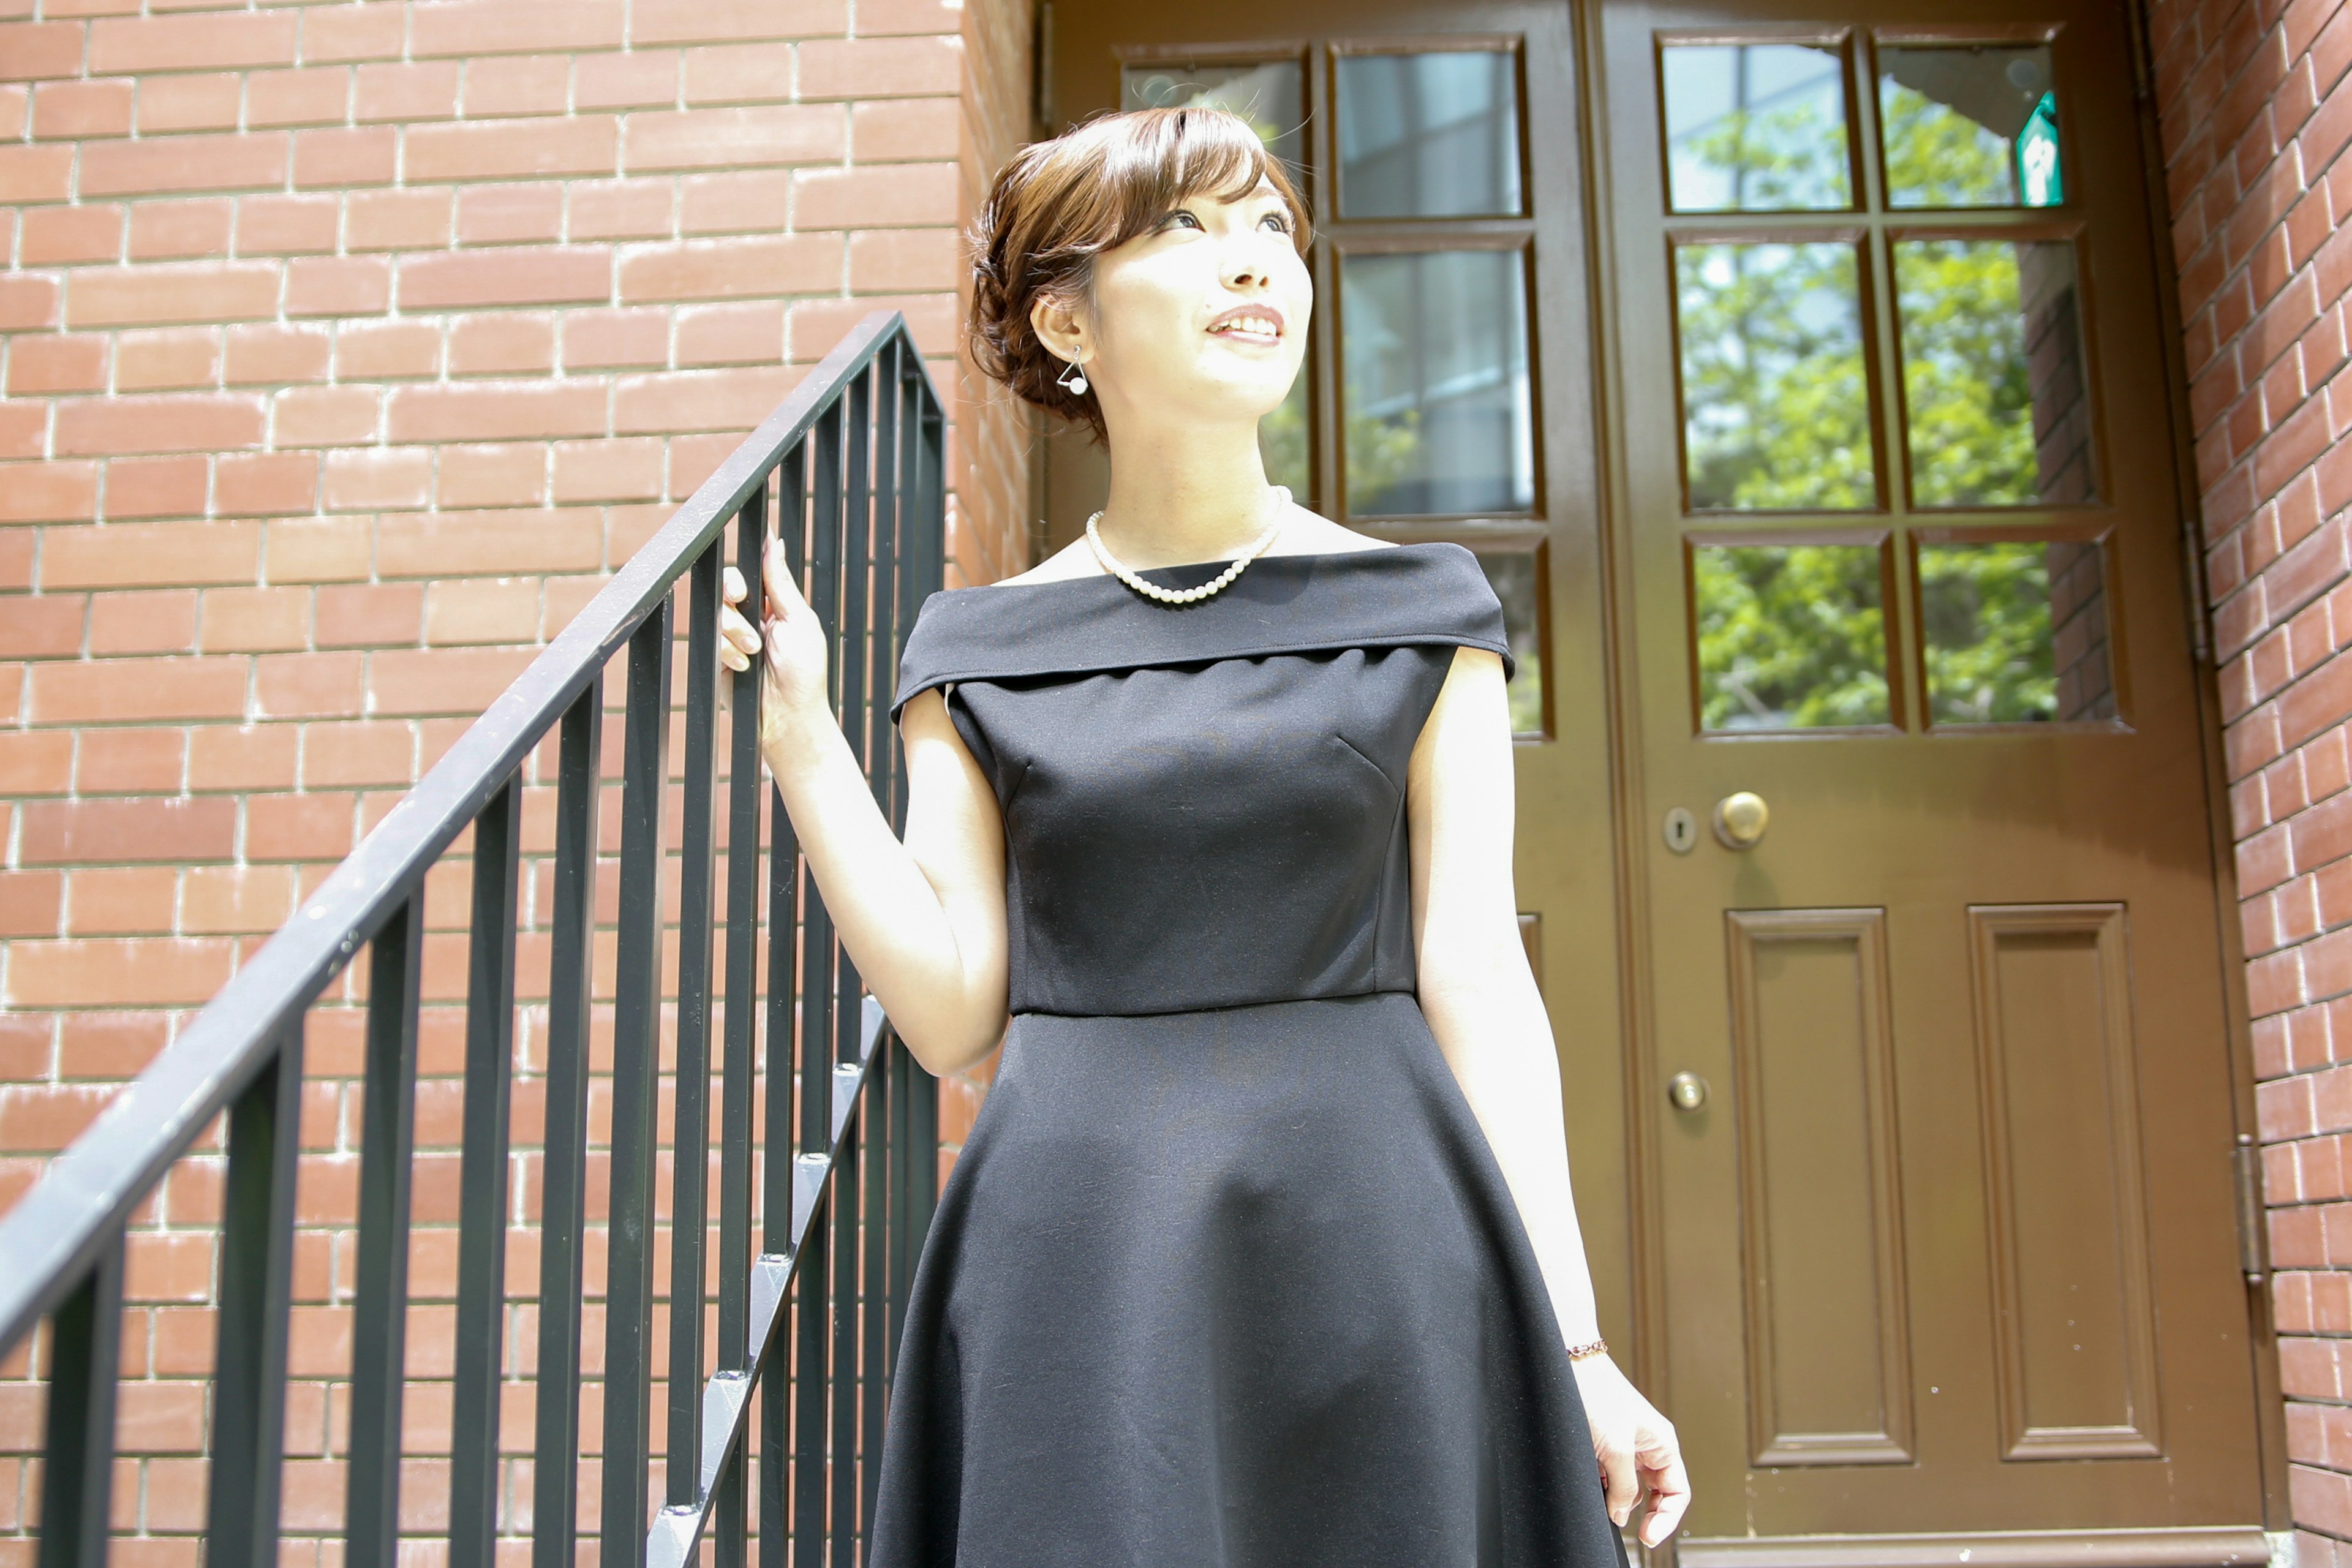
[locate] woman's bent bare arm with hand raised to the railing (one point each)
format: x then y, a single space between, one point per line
923 918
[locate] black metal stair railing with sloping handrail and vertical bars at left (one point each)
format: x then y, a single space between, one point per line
850 471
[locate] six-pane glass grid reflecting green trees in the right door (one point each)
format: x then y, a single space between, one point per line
1984 351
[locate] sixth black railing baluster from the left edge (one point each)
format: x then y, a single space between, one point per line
636 1052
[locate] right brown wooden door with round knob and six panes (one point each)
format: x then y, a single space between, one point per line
1902 558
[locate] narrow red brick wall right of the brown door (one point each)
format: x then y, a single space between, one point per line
2257 114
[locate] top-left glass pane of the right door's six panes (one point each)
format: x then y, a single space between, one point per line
1756 128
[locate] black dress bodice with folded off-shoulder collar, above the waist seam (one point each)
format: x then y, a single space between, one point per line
1205 805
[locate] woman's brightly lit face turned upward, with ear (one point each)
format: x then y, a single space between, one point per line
1203 319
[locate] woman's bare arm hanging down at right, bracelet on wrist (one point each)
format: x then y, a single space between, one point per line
1488 1017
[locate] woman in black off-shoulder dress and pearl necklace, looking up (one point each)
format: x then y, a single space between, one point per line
1215 812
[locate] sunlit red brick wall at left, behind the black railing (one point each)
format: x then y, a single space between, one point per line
345 351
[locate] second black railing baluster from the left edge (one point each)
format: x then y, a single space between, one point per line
258 1289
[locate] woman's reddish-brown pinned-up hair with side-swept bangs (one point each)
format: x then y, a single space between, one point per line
1062 203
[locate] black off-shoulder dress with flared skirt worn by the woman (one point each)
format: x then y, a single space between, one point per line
1227 1273
